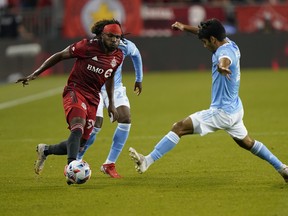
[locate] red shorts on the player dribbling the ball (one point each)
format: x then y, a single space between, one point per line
75 105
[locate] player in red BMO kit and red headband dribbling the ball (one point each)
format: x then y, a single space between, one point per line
96 62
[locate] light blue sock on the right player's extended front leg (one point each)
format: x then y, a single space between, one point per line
166 144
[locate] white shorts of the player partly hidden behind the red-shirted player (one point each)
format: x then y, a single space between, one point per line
120 99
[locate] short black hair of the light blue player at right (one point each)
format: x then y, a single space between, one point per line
211 27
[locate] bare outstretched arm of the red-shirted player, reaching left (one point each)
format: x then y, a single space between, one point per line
51 61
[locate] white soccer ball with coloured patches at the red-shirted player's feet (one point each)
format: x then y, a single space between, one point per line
77 172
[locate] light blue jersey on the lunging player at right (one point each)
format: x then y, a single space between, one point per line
225 92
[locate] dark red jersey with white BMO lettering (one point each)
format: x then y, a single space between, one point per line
92 68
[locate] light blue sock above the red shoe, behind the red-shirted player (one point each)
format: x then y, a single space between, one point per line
119 139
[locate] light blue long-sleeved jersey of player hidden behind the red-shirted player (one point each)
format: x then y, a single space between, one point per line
129 49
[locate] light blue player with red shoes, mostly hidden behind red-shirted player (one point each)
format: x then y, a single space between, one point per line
122 105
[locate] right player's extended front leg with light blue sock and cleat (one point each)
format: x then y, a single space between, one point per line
166 144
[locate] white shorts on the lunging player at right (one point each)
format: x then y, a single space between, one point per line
211 120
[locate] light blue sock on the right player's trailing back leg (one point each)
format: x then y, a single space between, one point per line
262 151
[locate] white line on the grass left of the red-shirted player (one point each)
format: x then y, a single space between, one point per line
30 98
